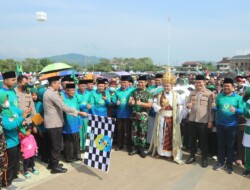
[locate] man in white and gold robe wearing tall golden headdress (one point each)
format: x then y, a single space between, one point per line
166 139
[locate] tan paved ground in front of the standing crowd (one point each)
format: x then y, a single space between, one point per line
136 173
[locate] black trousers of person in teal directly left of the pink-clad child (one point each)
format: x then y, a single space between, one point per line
12 165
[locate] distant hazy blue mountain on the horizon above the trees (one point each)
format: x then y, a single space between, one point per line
75 58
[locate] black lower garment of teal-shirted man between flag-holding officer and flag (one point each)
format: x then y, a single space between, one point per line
71 144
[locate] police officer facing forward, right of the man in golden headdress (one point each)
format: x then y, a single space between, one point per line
200 119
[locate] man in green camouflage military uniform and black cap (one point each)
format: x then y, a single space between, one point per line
141 100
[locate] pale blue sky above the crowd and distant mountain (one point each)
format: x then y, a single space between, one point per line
200 30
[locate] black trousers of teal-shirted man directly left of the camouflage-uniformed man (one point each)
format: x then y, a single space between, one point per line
124 132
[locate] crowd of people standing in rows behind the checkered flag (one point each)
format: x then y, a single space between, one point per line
160 115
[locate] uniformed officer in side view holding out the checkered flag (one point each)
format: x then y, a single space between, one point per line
53 121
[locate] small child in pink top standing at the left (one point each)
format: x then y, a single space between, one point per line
29 150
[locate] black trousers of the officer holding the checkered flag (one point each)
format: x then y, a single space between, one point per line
55 140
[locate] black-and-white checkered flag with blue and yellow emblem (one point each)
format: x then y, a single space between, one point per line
99 140
